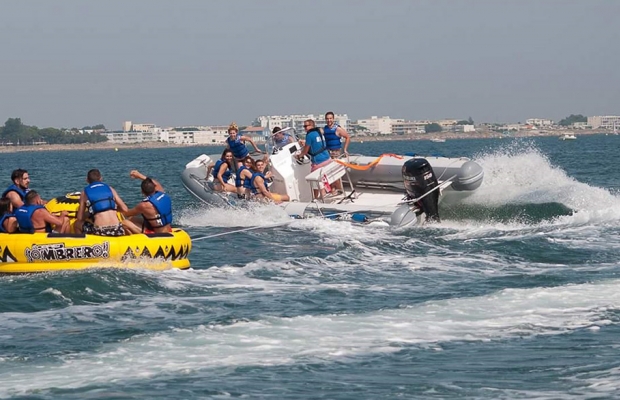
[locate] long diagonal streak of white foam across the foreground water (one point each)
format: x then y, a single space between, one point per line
510 313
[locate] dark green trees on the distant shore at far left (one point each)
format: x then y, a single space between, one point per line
14 131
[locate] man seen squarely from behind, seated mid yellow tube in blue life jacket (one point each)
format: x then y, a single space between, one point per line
99 206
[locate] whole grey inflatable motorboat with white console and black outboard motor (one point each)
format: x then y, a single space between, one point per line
402 190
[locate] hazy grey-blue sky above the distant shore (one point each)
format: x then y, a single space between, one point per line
74 62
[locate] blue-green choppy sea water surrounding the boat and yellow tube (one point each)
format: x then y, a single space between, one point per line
514 295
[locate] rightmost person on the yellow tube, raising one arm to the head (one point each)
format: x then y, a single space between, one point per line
155 210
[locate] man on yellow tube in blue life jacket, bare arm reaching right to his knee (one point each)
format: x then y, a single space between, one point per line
33 217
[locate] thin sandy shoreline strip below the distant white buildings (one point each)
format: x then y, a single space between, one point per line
355 139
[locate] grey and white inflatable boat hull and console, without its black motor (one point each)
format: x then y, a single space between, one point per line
378 187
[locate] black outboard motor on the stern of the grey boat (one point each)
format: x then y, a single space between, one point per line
419 179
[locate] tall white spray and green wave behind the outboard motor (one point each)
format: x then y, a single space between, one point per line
521 184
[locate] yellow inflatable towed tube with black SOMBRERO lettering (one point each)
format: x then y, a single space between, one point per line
41 252
